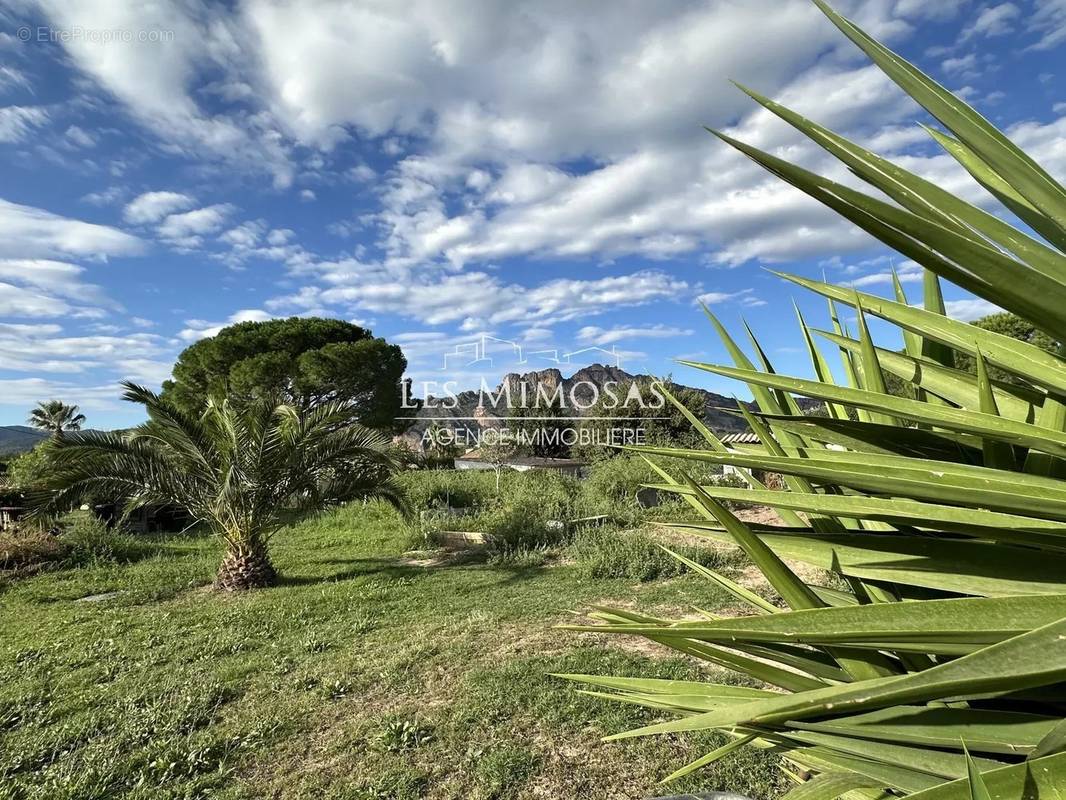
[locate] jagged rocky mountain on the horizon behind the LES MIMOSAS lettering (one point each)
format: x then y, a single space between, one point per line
480 409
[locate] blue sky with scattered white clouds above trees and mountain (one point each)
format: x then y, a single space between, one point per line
529 177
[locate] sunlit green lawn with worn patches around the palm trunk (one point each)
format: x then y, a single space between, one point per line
300 692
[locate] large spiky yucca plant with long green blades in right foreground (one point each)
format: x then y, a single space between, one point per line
943 513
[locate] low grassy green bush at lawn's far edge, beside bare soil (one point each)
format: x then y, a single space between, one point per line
634 555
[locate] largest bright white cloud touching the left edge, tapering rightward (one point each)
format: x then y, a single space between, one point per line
28 232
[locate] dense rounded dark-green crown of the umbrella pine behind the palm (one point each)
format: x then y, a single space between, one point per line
303 361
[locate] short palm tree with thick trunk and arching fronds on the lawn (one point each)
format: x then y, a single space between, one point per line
240 469
